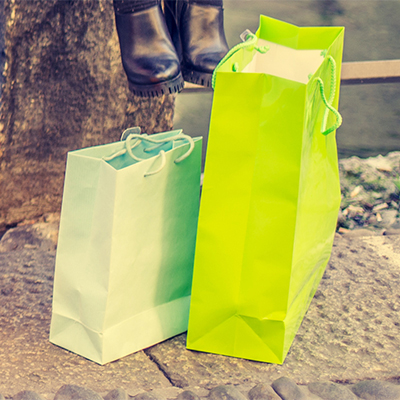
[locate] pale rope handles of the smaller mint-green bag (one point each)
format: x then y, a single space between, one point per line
158 143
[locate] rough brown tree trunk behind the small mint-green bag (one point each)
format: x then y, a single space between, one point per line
64 89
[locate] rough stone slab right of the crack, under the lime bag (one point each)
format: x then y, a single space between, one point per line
350 333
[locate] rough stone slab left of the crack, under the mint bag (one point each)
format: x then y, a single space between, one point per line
29 361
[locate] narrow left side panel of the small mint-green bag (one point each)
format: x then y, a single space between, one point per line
82 315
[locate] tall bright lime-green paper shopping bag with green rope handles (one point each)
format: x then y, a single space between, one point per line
271 191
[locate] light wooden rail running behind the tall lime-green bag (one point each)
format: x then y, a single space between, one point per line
353 73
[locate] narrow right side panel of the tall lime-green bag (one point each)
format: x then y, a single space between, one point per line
319 194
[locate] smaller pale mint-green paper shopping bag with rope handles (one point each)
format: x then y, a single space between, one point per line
126 245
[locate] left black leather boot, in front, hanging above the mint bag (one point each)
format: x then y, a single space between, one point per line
148 55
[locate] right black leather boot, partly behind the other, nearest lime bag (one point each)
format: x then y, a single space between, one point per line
197 31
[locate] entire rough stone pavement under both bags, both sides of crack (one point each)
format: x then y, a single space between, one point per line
350 333
